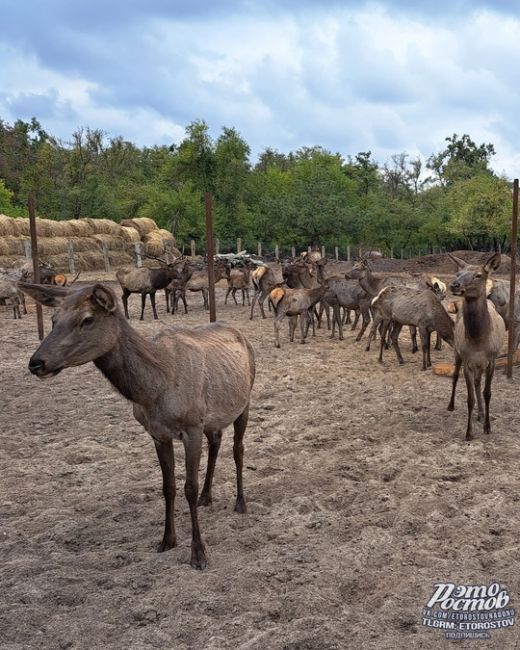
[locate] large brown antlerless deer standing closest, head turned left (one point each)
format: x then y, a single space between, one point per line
183 383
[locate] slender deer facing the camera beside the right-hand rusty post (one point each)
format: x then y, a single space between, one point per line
479 336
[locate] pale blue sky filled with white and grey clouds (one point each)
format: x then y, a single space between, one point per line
387 76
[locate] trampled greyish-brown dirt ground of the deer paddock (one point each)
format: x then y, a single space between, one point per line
362 494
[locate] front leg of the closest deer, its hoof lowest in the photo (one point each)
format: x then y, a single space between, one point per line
192 446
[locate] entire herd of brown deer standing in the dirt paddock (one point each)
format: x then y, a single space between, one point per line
186 383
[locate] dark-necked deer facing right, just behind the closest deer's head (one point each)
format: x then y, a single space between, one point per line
146 282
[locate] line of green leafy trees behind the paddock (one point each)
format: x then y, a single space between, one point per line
310 196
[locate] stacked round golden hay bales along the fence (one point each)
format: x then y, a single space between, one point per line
90 240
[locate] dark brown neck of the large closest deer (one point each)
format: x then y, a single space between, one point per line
132 366
